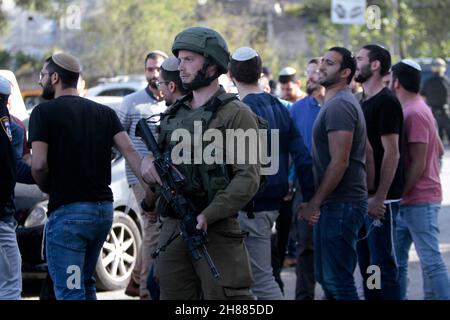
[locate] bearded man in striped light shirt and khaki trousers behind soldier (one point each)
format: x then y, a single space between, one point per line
134 107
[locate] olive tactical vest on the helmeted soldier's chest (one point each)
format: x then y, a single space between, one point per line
203 180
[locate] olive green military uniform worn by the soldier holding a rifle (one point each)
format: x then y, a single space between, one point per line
181 277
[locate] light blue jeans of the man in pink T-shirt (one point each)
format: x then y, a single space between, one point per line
419 224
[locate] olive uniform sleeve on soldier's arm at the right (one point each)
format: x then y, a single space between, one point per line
245 182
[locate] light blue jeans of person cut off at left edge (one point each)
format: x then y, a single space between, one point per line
10 263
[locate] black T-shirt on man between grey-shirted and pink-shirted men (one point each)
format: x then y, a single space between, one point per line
384 115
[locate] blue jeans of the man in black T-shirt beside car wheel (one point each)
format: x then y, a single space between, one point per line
75 234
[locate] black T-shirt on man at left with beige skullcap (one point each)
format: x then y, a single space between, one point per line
79 134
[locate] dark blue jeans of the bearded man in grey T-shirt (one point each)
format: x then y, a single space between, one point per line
335 237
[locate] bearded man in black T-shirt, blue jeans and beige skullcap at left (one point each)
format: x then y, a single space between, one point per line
71 138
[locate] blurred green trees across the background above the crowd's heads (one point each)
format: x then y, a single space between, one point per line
116 38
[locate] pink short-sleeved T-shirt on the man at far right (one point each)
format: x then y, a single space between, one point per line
420 128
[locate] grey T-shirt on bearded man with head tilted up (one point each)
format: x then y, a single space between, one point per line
342 112
